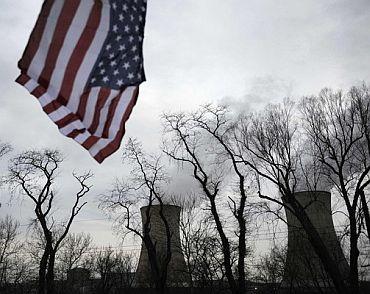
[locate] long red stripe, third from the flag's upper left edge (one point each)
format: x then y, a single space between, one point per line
79 53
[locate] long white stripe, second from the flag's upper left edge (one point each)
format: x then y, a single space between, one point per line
72 37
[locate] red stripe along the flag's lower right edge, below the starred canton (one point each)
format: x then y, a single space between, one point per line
116 143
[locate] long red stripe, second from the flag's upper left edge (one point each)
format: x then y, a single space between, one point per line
64 22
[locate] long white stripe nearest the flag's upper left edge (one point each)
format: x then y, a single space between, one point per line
38 61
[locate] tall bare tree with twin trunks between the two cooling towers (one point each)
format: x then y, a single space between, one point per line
200 141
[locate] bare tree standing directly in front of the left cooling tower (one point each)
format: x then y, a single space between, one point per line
143 188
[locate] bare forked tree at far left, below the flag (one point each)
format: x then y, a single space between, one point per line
32 174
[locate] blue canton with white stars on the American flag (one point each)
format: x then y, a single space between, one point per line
121 61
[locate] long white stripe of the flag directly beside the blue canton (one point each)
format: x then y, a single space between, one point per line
89 59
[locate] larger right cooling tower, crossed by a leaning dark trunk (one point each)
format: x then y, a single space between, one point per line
303 269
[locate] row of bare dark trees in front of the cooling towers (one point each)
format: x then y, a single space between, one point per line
245 165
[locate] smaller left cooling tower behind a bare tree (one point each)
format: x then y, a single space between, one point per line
177 273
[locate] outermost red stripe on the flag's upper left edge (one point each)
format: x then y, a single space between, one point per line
36 36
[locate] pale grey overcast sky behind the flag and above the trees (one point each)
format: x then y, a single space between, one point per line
243 52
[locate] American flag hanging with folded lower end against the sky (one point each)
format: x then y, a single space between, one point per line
84 64
